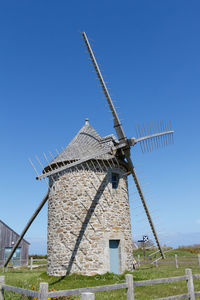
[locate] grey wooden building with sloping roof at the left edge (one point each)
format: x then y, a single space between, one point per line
8 238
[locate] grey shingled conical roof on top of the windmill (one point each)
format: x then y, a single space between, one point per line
86 142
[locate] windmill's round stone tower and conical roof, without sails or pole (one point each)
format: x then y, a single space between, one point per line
89 229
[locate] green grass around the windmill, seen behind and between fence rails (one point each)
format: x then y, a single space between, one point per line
31 280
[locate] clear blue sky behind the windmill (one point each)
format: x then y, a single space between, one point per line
149 55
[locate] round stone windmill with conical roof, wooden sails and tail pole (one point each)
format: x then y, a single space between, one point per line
89 228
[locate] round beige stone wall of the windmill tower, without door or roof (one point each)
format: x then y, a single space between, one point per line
84 213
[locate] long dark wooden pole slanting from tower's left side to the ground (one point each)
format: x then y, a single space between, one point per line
27 227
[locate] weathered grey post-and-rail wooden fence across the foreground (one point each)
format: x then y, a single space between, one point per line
88 293
